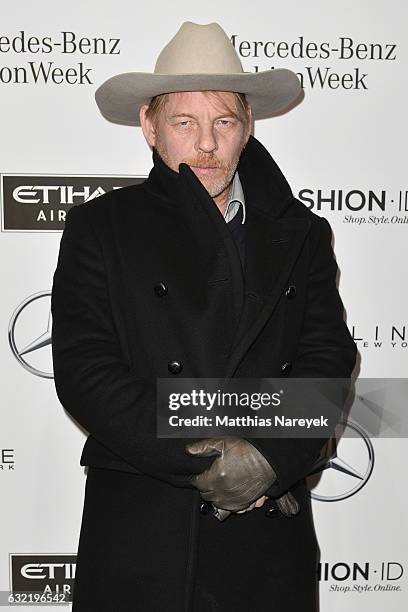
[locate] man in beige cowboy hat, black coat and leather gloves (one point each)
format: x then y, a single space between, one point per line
210 268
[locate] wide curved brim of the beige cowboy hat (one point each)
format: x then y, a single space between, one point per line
271 92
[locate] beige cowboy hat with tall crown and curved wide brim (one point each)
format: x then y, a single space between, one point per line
197 58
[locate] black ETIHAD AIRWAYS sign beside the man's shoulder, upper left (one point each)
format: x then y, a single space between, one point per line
40 203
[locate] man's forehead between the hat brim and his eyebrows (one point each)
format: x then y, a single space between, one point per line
217 101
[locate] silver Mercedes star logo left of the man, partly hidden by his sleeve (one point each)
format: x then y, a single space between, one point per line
25 344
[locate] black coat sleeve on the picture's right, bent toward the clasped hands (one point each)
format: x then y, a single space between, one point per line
325 350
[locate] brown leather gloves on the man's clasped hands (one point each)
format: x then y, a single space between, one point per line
238 476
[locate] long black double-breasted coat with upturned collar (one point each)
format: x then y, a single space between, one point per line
149 284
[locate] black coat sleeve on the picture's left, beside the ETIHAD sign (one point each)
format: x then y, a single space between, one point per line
93 381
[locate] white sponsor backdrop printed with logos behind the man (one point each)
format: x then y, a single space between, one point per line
343 151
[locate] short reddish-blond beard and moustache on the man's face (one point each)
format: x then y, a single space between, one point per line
214 185
